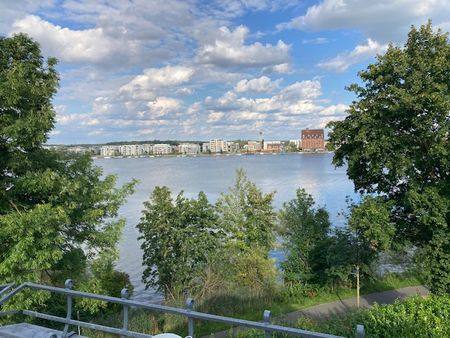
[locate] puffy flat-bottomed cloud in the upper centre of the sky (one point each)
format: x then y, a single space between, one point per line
227 48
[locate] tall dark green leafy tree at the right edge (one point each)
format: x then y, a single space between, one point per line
395 141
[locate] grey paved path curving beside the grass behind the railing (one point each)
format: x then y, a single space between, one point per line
341 306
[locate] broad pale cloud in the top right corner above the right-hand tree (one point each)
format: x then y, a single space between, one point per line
382 20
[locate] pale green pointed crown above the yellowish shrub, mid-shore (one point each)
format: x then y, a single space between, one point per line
247 215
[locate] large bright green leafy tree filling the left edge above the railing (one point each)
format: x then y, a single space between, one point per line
57 213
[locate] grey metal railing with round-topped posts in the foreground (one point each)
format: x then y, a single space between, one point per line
188 312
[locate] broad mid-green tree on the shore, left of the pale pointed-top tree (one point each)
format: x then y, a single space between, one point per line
178 238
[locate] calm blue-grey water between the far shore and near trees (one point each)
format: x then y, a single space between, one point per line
282 173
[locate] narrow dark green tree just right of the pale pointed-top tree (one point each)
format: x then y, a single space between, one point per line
304 229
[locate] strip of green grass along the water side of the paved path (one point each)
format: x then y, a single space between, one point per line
246 308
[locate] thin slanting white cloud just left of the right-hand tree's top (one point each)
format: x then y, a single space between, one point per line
360 53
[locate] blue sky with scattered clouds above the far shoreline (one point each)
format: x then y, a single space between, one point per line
198 70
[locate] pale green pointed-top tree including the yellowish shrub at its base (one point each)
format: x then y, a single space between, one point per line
247 219
